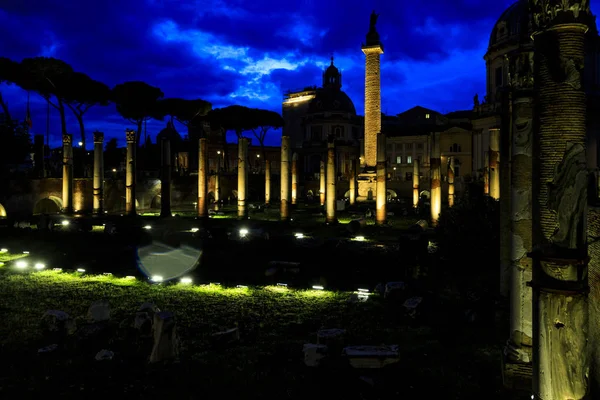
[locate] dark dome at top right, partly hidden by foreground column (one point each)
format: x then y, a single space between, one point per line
513 26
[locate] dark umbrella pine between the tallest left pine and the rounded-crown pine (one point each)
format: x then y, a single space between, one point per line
81 94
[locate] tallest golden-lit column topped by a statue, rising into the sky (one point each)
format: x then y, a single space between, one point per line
373 49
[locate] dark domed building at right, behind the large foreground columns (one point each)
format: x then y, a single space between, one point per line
509 64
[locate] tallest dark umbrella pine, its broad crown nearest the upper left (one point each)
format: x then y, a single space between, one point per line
50 78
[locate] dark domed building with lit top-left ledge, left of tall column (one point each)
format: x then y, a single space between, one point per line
312 115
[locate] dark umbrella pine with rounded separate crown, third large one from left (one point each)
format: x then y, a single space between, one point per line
136 102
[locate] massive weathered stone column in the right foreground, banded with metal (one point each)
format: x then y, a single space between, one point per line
561 361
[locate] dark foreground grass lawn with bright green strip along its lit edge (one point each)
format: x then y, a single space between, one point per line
266 363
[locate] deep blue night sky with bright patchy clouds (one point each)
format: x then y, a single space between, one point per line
249 52
